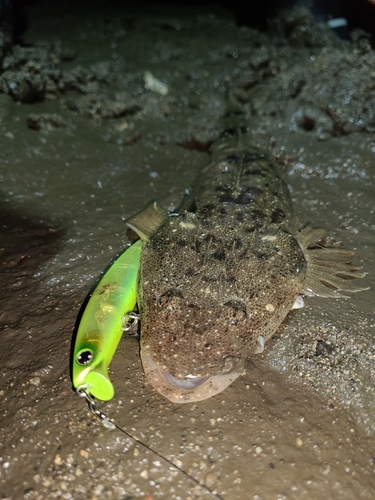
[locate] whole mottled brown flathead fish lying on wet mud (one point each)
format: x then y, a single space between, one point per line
218 278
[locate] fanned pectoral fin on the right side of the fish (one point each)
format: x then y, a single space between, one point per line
330 272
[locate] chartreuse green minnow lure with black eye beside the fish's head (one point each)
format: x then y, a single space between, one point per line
104 319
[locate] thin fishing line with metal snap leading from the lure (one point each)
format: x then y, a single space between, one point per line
108 424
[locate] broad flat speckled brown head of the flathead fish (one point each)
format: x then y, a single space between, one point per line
207 302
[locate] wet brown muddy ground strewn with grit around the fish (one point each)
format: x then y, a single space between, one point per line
87 139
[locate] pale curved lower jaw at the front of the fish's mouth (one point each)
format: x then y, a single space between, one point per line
187 390
